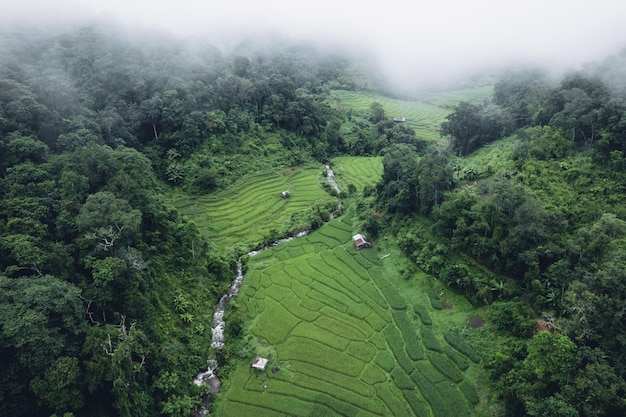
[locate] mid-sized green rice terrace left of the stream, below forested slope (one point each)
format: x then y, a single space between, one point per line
247 211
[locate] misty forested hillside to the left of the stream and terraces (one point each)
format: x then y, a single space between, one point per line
107 292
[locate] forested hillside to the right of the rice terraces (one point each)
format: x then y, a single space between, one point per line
530 185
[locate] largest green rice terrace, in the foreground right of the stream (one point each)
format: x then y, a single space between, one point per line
346 336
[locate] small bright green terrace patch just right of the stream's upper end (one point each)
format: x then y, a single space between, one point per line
360 171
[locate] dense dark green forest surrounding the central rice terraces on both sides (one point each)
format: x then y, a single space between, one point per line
108 291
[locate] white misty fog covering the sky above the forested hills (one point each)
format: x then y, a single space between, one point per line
414 44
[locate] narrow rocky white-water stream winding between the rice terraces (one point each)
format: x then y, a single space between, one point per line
218 326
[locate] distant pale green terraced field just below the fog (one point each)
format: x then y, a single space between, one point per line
422 116
